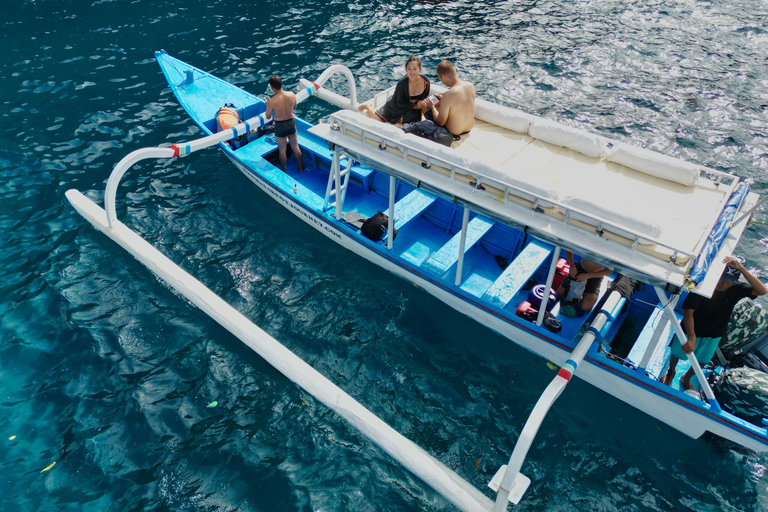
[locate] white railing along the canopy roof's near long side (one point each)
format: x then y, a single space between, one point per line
475 180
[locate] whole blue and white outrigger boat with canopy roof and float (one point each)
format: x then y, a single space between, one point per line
518 189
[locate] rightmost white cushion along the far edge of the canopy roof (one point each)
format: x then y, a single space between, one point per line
655 164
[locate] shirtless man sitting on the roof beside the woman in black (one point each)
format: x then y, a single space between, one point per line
457 104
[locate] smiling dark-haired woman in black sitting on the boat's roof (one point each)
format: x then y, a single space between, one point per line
407 101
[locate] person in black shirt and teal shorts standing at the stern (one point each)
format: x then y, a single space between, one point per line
705 321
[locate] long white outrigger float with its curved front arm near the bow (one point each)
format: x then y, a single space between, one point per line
444 480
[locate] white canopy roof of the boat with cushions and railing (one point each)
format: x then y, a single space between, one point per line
636 211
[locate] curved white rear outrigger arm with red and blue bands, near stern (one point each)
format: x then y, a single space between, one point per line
508 481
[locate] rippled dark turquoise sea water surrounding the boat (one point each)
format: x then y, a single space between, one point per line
107 372
